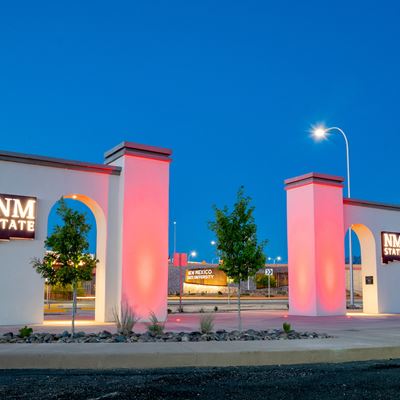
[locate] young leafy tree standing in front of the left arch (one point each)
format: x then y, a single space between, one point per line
67 262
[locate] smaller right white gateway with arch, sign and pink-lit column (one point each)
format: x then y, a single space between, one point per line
318 218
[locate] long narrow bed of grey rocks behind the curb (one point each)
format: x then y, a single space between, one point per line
107 337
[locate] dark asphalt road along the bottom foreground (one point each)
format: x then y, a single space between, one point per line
366 380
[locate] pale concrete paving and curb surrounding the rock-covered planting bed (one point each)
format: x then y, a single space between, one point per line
357 337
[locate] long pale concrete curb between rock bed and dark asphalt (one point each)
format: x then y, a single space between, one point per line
168 355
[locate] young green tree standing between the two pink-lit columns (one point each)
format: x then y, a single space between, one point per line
236 232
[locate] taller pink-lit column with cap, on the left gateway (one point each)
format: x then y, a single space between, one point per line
144 202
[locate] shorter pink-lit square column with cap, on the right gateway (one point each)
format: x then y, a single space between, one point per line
316 245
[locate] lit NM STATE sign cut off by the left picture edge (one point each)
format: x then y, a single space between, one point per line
17 217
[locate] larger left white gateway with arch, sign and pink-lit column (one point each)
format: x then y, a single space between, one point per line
129 197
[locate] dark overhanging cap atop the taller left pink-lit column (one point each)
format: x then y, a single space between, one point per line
136 149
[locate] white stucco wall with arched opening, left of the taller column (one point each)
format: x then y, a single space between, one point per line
21 287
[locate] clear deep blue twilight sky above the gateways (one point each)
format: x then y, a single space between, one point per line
231 86
